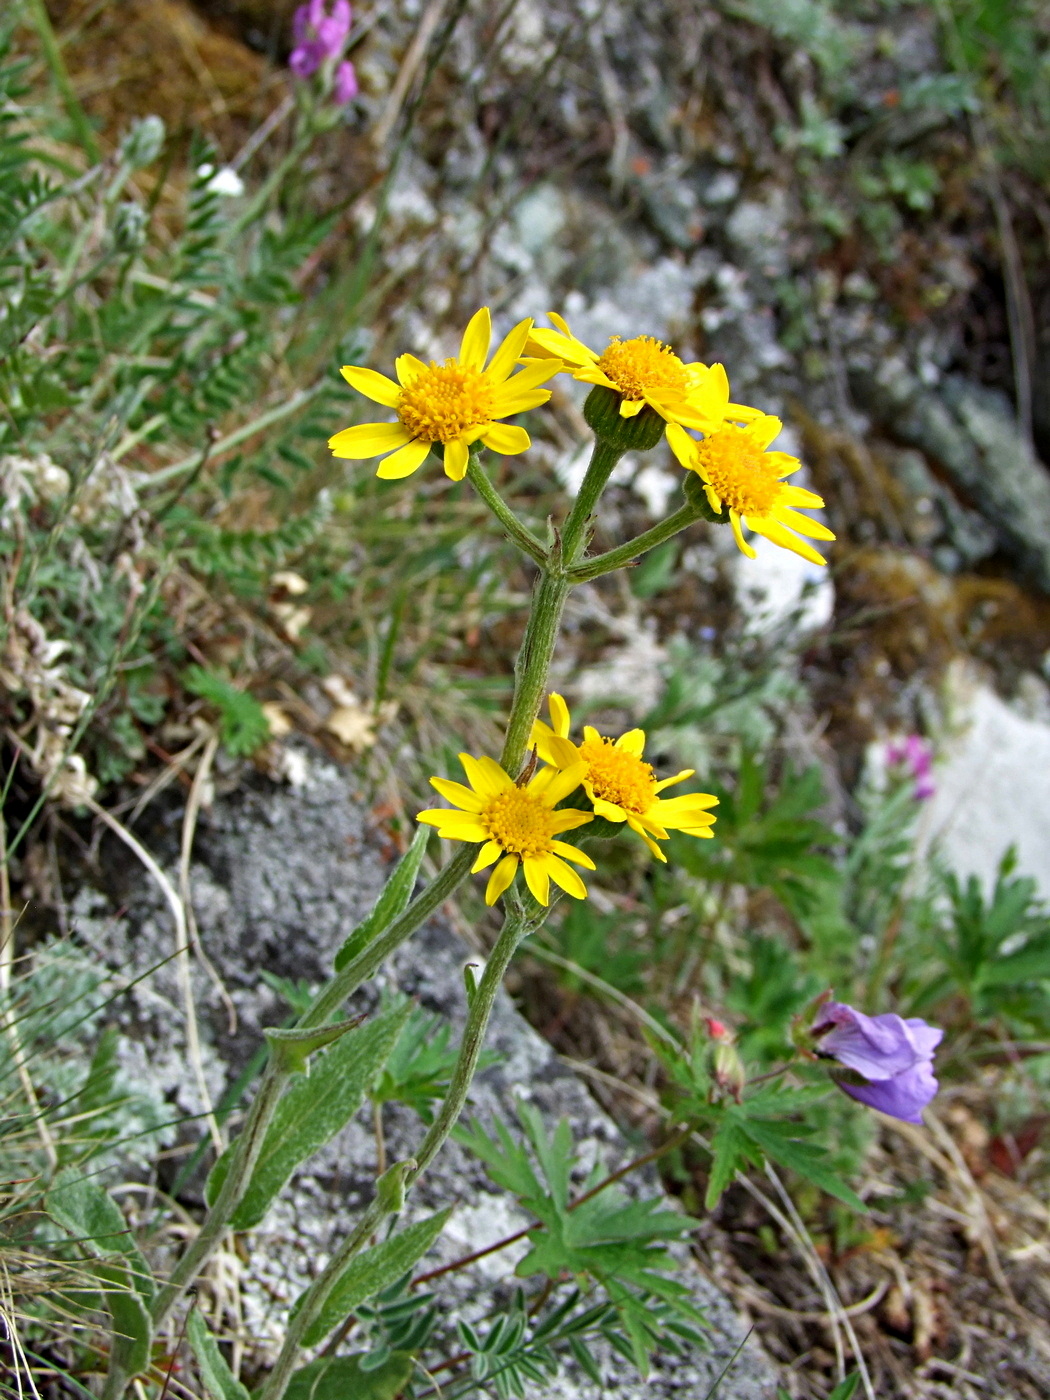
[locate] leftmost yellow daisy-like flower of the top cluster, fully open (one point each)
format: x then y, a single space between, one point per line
454 404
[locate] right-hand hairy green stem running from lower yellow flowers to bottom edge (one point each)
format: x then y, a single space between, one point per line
516 927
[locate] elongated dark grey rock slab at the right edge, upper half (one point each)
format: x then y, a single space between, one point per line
971 433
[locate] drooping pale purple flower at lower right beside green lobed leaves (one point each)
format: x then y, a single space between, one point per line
894 1058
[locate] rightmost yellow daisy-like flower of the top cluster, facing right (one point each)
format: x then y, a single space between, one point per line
738 472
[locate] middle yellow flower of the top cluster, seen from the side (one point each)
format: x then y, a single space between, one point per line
645 372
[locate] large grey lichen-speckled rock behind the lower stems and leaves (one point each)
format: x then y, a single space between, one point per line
281 877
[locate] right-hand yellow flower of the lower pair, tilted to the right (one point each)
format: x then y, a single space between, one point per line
619 783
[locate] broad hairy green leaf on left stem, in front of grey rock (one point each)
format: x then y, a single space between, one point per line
311 1112
